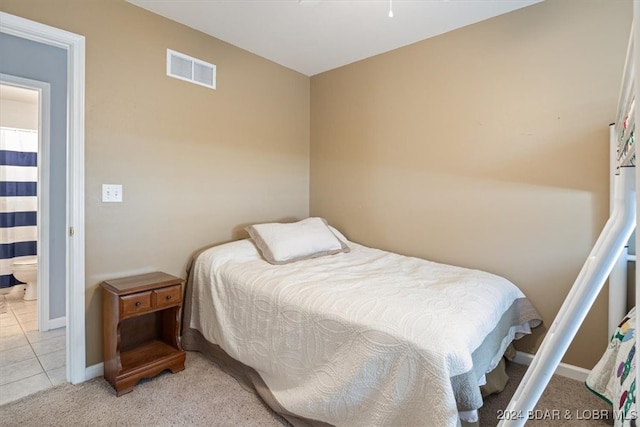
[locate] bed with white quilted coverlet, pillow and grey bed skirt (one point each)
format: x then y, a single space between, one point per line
331 332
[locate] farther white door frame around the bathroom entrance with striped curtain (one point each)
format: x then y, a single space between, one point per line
44 115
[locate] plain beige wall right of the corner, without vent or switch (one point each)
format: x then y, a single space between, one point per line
485 147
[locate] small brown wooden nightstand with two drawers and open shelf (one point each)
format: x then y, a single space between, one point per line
141 317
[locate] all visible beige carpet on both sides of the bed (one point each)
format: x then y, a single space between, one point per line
202 395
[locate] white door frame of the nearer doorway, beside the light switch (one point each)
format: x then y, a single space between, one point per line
75 46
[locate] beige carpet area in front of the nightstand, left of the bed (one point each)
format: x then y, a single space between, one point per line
201 395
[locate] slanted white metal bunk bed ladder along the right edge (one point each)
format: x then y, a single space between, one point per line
603 257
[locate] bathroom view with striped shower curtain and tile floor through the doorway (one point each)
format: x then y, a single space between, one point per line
31 359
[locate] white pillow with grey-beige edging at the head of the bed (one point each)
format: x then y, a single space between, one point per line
282 243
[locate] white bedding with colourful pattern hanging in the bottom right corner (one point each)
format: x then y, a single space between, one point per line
614 376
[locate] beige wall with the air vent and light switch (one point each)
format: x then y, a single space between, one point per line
195 164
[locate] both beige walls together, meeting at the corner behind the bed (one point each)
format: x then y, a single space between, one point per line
484 147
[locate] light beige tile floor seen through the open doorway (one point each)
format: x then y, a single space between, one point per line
30 360
